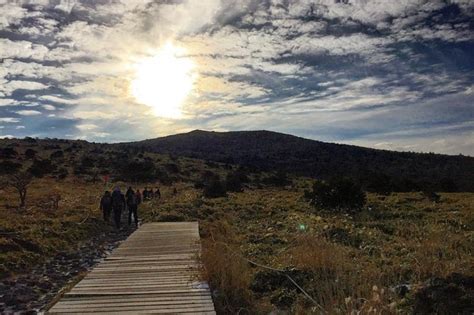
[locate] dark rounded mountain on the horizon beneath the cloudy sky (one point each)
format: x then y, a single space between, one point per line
272 151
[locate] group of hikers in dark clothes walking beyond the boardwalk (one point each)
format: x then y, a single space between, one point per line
116 202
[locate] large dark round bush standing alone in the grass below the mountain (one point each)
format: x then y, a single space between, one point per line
340 194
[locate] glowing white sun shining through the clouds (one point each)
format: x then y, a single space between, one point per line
164 81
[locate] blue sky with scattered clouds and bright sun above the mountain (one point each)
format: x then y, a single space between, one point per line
395 75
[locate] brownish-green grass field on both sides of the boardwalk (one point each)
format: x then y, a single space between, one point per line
377 261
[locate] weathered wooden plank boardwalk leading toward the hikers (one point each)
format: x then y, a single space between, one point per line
153 272
